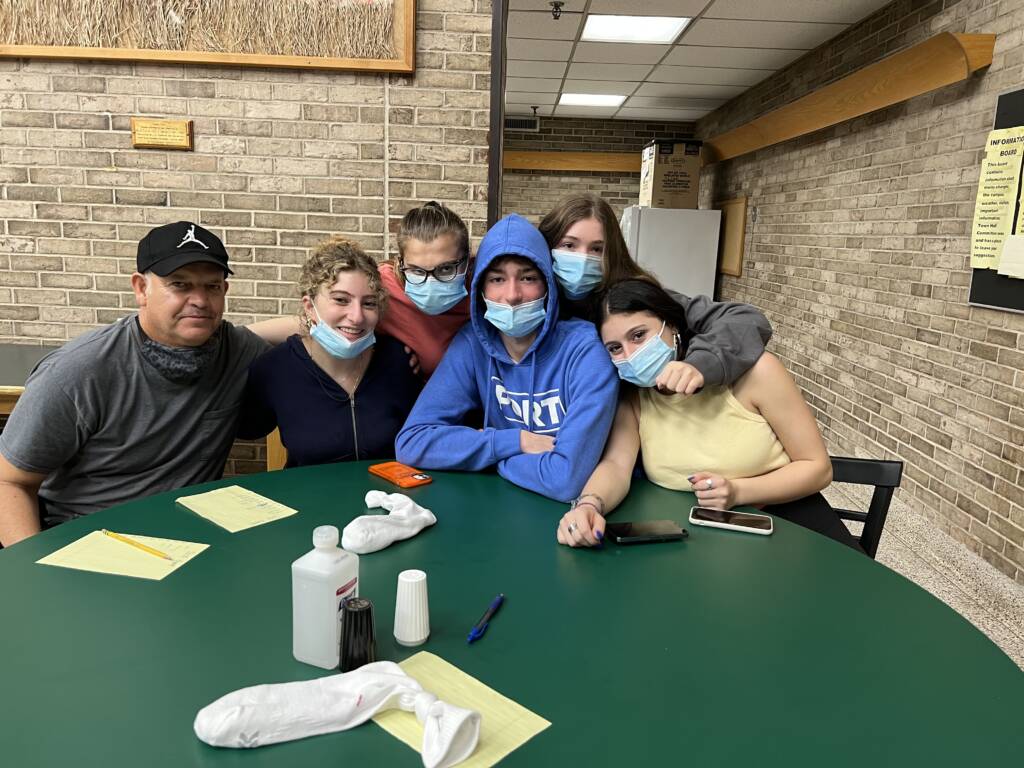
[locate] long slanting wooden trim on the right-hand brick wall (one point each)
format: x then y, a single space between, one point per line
938 62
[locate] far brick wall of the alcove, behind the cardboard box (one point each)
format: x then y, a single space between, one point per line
533 194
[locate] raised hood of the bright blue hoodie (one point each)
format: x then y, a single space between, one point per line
514 236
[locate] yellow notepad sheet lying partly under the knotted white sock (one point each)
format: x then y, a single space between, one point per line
505 726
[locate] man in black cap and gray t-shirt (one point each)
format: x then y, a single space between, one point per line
146 405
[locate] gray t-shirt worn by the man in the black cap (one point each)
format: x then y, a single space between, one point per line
107 428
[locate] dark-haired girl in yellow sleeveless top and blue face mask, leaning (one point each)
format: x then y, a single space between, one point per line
754 444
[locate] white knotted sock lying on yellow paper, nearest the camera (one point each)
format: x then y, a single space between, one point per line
269 714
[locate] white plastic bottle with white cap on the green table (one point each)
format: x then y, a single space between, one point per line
321 582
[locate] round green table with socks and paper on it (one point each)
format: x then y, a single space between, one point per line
726 650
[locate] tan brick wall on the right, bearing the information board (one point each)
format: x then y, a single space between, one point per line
861 258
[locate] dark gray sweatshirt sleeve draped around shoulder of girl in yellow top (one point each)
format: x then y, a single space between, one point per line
730 337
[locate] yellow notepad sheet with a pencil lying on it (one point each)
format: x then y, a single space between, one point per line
103 554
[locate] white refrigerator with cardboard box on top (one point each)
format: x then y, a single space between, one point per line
678 245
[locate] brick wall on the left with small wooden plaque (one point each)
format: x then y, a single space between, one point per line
283 159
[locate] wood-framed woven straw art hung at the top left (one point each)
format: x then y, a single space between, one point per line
368 35
